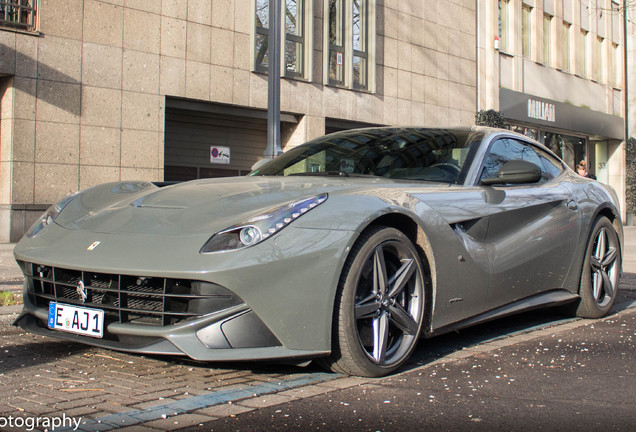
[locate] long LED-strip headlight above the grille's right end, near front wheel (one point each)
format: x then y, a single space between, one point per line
260 227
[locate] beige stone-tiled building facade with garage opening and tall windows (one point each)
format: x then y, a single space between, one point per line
99 91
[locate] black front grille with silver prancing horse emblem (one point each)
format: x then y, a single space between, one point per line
127 298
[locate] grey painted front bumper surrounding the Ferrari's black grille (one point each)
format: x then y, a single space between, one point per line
285 291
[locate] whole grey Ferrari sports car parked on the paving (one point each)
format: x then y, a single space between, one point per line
347 249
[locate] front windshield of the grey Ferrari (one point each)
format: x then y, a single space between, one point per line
436 155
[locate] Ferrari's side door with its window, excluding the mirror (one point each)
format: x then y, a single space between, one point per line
533 229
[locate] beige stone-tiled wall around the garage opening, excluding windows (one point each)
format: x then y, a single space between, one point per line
88 91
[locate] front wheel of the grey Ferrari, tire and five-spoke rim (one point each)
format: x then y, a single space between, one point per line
379 305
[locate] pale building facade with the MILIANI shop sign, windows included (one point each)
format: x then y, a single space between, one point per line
555 69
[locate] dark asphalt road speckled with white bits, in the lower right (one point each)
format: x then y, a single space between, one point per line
579 379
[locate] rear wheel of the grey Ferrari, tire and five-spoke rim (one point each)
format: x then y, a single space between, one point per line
600 271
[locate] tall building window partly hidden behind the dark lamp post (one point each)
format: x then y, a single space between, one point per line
293 35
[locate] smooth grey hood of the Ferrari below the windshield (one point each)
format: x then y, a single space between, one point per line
197 207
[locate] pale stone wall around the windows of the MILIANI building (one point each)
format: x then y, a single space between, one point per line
537 76
